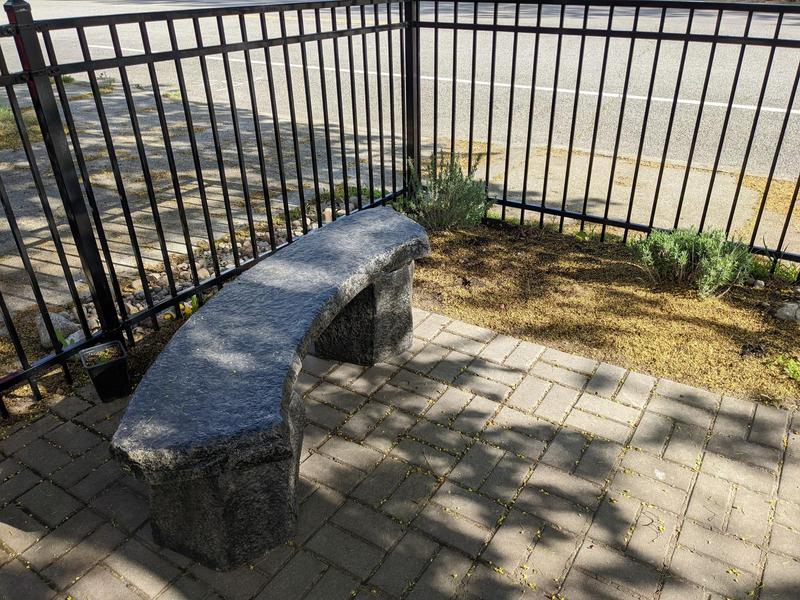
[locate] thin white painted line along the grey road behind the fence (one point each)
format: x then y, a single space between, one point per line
498 84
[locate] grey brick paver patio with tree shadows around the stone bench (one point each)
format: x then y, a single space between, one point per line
475 465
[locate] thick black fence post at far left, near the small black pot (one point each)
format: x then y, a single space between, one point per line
52 127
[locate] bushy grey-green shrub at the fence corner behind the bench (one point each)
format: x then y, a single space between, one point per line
448 198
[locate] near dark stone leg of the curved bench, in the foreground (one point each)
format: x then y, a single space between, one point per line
232 518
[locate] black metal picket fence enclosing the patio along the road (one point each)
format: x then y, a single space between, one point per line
148 157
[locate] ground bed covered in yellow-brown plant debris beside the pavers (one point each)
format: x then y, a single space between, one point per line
590 298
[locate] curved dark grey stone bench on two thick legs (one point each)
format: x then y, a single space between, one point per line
214 427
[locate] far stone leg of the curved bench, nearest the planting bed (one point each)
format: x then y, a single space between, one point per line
375 325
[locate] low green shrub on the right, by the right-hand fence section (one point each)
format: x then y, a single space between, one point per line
707 261
